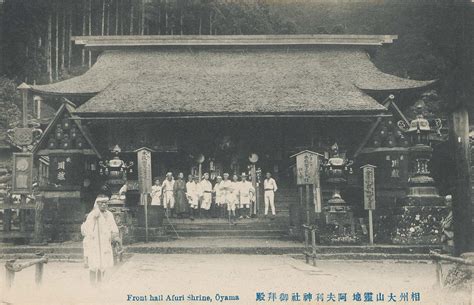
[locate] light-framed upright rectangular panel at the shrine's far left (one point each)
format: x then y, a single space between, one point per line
22 182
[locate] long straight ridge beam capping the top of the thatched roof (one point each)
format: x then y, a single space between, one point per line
117 42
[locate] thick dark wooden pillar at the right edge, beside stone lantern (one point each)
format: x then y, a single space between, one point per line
462 206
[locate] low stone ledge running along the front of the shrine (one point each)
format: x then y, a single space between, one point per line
72 251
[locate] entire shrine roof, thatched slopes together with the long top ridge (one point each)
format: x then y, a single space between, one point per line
290 76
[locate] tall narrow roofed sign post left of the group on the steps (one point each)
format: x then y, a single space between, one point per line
144 180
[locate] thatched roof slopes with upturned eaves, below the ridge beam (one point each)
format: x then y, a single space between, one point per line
185 81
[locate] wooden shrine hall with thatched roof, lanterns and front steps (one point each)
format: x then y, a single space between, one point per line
242 104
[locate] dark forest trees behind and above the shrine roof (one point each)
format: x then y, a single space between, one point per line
426 48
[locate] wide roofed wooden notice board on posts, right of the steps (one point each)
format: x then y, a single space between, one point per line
307 174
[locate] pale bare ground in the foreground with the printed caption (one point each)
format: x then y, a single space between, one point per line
223 278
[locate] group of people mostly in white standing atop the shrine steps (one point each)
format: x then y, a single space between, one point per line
229 197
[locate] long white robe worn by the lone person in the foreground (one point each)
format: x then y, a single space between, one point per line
98 232
